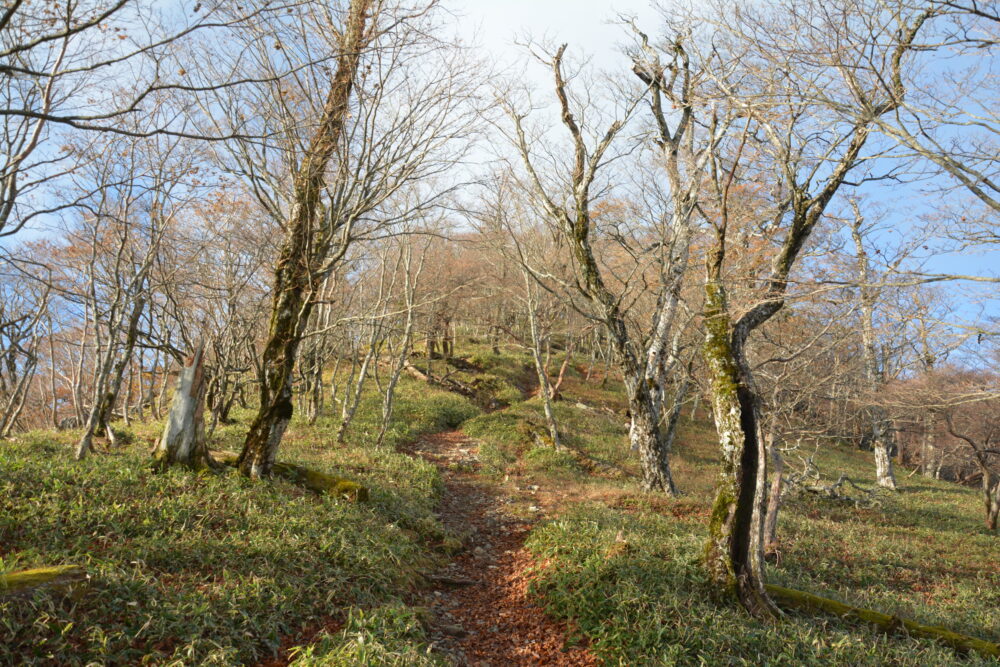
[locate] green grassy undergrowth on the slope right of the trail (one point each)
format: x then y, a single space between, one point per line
626 567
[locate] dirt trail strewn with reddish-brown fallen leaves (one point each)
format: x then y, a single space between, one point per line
481 615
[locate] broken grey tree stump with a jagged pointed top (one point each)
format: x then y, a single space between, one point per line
183 440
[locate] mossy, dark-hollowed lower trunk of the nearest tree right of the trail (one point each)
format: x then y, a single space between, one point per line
735 549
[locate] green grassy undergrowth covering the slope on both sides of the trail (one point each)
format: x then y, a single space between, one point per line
213 569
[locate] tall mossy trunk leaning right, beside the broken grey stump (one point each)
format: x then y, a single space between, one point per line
296 279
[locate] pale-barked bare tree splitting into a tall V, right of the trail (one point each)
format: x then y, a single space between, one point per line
568 205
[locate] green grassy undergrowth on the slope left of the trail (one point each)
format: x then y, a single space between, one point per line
211 568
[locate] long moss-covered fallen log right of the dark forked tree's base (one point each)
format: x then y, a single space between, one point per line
886 623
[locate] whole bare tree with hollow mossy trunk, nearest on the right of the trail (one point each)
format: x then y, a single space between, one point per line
782 73
